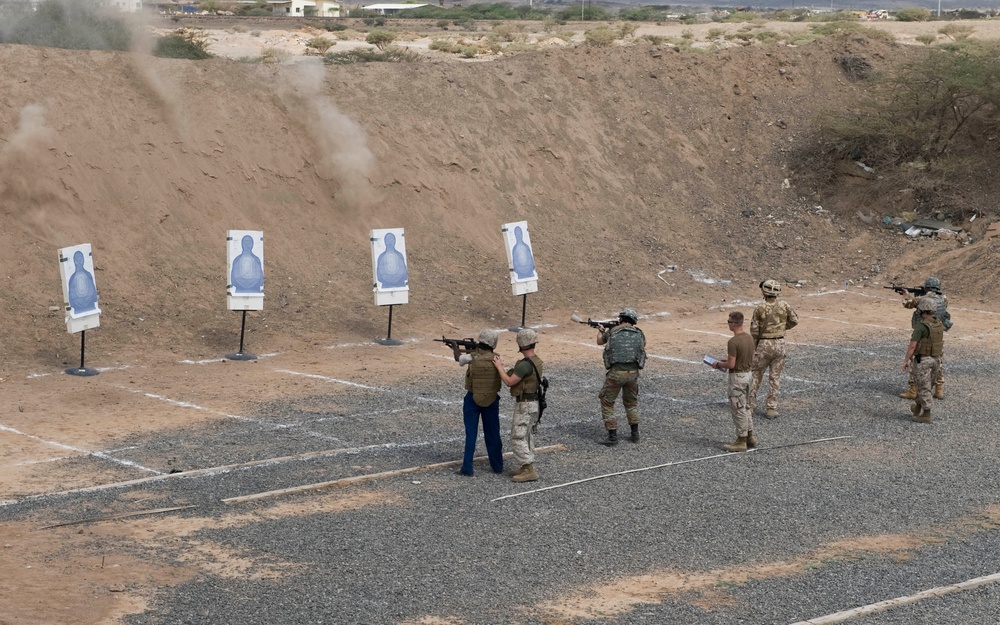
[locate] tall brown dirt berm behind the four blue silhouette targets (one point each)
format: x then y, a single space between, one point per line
626 162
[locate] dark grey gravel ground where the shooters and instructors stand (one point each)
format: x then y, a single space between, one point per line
760 524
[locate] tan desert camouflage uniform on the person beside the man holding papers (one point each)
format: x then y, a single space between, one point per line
770 321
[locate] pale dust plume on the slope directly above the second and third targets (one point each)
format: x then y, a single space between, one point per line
344 155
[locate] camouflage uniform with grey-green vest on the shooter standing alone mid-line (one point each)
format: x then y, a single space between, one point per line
624 356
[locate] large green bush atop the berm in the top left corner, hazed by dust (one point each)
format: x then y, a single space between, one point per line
71 24
